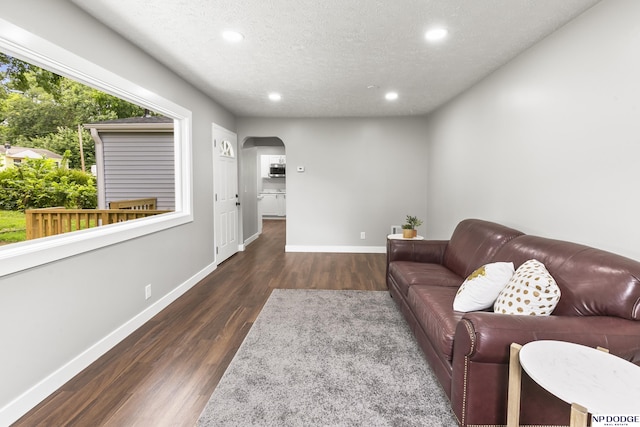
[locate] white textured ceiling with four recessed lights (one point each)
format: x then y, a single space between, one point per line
322 55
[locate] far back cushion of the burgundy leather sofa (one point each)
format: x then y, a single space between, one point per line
474 243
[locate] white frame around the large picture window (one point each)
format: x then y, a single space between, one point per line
17 257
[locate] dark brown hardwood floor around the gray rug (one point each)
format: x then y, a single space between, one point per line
164 373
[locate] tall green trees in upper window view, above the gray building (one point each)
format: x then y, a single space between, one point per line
41 109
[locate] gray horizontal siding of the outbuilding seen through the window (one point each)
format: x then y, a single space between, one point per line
139 165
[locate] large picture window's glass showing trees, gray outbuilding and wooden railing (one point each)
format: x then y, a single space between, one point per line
69 152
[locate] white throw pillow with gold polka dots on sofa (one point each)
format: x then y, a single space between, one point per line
531 291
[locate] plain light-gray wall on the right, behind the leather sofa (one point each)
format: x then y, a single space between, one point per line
550 143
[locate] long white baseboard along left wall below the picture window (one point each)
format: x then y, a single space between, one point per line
30 398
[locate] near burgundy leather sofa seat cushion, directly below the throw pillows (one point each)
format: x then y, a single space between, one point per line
432 307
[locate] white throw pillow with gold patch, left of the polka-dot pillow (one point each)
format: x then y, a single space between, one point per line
482 287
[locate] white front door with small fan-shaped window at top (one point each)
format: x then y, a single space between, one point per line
226 201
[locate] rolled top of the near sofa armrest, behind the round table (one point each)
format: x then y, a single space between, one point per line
485 337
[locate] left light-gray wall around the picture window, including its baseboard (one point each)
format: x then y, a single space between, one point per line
55 318
